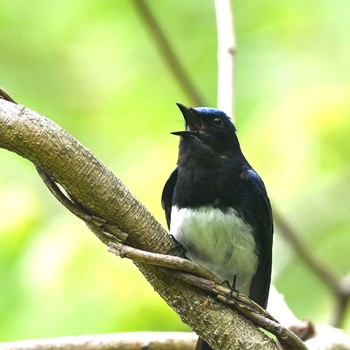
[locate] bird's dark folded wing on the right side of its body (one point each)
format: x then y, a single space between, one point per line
263 232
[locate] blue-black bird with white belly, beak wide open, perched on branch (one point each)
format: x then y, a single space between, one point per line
217 207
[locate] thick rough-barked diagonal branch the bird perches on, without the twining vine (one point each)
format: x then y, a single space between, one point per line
95 189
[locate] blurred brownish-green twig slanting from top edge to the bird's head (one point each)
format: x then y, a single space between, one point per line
168 52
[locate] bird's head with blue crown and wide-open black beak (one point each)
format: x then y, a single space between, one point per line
208 128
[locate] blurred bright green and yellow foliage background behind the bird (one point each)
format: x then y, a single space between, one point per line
92 68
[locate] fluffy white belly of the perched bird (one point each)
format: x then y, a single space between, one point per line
219 241
